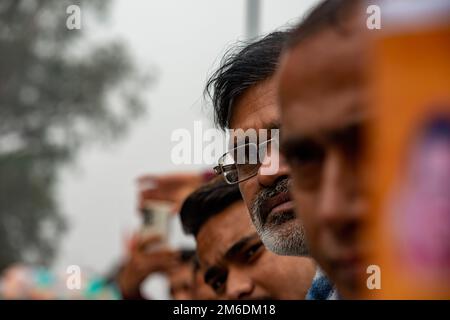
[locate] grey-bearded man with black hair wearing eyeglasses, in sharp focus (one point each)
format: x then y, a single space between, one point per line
244 97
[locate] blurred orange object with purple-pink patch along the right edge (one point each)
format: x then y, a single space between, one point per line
410 151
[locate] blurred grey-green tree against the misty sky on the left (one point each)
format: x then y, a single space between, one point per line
58 91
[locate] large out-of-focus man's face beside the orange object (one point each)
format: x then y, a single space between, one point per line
322 97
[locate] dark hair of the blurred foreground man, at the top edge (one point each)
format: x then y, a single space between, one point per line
328 13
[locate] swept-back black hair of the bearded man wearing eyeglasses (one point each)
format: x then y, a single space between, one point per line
241 68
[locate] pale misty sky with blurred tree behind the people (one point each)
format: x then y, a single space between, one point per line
137 72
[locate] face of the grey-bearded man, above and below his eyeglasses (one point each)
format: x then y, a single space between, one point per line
266 195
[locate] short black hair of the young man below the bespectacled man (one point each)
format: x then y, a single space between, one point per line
206 202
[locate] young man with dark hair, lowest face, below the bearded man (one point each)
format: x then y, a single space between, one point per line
232 257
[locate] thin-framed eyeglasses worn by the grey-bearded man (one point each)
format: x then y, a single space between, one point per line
243 162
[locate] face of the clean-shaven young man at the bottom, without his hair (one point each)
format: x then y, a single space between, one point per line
236 264
